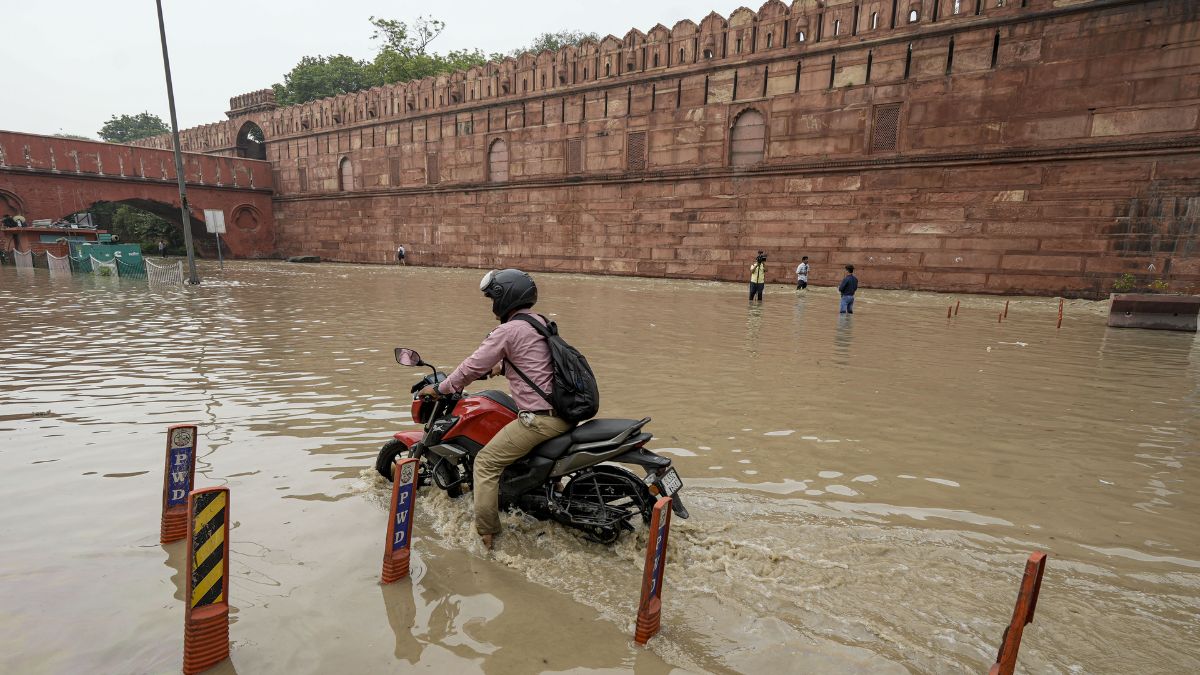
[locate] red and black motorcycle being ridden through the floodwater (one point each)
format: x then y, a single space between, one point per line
572 479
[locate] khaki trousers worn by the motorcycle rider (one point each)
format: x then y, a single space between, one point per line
508 446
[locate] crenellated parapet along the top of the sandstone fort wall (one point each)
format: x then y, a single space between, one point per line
775 32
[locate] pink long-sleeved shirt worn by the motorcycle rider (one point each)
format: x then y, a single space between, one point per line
525 348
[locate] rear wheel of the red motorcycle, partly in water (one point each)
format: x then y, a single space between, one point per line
603 500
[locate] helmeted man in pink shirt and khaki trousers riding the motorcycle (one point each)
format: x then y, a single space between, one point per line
521 347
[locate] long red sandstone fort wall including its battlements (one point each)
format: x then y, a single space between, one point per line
1041 148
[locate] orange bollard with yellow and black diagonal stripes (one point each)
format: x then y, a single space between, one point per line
207 618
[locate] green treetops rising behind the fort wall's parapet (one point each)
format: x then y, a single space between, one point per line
404 56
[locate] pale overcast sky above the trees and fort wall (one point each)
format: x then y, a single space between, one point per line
69 65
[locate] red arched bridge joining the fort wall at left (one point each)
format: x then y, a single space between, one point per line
45 177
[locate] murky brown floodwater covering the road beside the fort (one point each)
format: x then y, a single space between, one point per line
863 491
